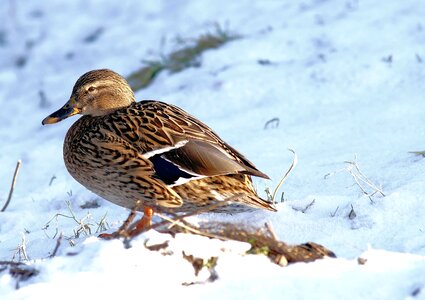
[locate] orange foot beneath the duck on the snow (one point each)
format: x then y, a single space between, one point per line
136 228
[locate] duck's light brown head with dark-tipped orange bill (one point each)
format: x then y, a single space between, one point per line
96 93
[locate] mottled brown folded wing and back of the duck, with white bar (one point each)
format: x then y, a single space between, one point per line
166 133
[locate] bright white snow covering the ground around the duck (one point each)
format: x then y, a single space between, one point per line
344 78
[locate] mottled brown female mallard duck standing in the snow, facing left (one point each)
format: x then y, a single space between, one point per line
150 151
